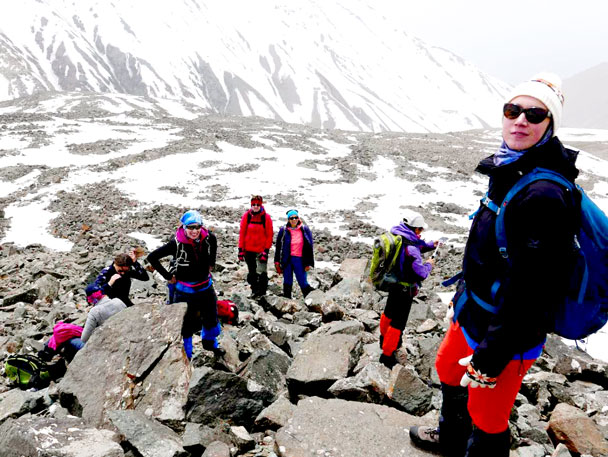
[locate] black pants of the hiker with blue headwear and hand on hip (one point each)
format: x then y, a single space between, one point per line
201 310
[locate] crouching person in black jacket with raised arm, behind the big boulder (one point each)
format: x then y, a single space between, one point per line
115 280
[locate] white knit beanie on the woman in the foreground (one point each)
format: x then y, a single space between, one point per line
546 87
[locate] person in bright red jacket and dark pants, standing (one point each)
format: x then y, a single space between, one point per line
255 240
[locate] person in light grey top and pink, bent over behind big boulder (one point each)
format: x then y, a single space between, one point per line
69 338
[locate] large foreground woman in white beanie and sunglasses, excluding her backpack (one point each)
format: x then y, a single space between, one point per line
504 300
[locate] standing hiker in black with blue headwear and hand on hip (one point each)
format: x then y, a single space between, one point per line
194 250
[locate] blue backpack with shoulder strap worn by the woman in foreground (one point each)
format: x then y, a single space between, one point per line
585 308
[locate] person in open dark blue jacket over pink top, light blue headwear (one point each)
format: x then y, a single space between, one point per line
293 253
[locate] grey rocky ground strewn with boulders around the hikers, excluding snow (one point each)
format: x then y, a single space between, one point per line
300 377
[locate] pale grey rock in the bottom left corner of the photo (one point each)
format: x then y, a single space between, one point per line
31 436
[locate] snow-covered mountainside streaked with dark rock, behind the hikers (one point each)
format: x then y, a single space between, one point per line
333 64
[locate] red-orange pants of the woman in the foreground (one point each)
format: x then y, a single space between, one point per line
489 408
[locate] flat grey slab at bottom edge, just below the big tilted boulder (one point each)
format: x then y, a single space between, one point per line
148 437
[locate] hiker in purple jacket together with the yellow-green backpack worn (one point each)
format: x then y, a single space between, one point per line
398 267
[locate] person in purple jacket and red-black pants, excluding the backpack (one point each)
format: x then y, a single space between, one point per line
411 269
